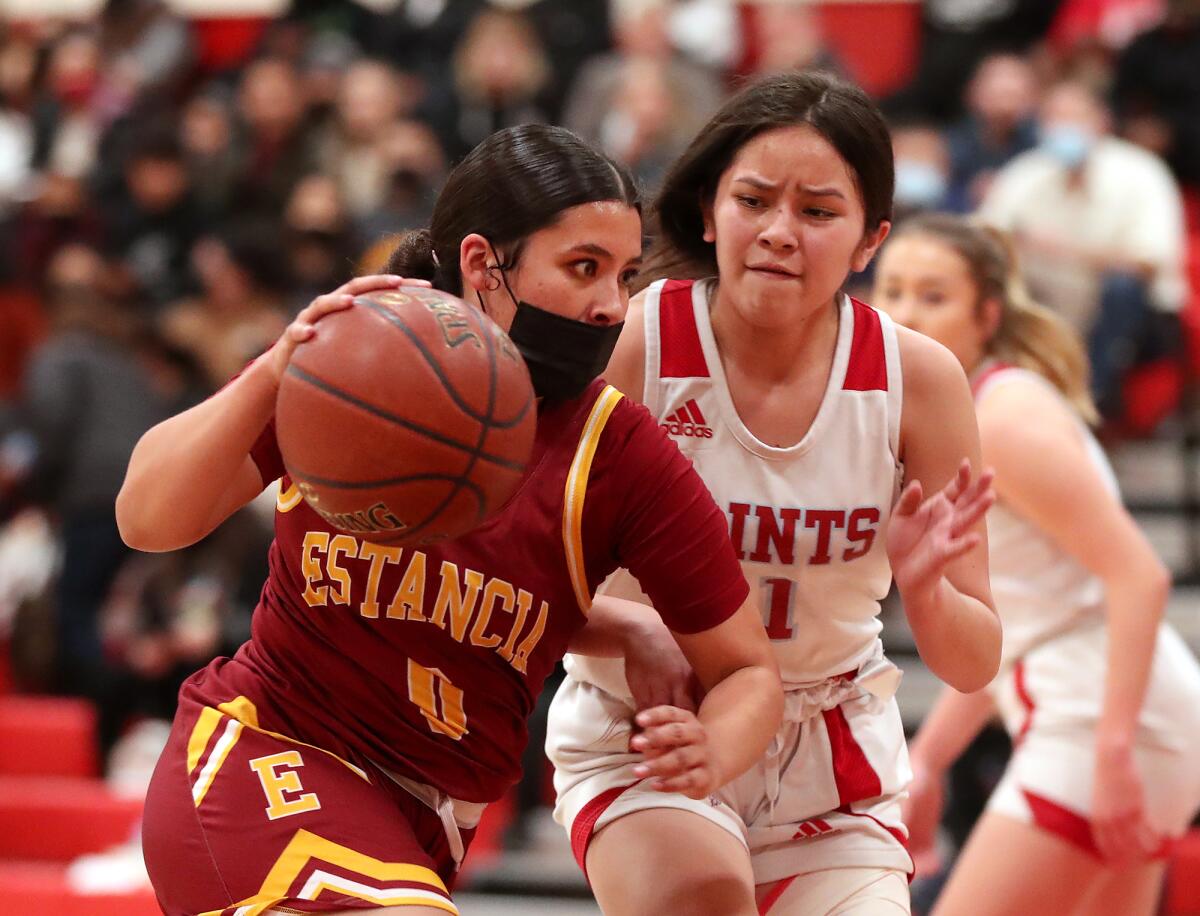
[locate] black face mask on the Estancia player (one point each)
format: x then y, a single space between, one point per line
563 356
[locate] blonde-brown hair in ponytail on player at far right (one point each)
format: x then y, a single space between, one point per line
1029 334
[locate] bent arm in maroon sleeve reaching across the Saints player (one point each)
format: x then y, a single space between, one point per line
675 541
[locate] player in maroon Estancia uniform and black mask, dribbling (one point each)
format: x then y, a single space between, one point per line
341 761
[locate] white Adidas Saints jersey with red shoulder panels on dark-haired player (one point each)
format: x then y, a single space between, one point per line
807 520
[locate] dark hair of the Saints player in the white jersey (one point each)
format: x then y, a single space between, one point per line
838 111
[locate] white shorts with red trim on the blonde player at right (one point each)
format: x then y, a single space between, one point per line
1052 701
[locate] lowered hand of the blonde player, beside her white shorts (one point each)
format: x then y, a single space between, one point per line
1120 828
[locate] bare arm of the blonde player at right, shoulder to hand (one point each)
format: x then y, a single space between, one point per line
1066 496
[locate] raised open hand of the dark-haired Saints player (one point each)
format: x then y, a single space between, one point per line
926 536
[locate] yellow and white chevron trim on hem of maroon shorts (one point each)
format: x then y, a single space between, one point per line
307 847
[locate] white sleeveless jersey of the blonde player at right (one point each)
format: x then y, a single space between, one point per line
1040 590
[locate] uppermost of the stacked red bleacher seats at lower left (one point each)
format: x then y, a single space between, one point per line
47 737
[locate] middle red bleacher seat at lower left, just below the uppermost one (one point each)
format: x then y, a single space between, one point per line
58 818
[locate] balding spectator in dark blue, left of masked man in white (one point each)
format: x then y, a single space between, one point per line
1000 124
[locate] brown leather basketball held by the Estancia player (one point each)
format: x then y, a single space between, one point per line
407 418
